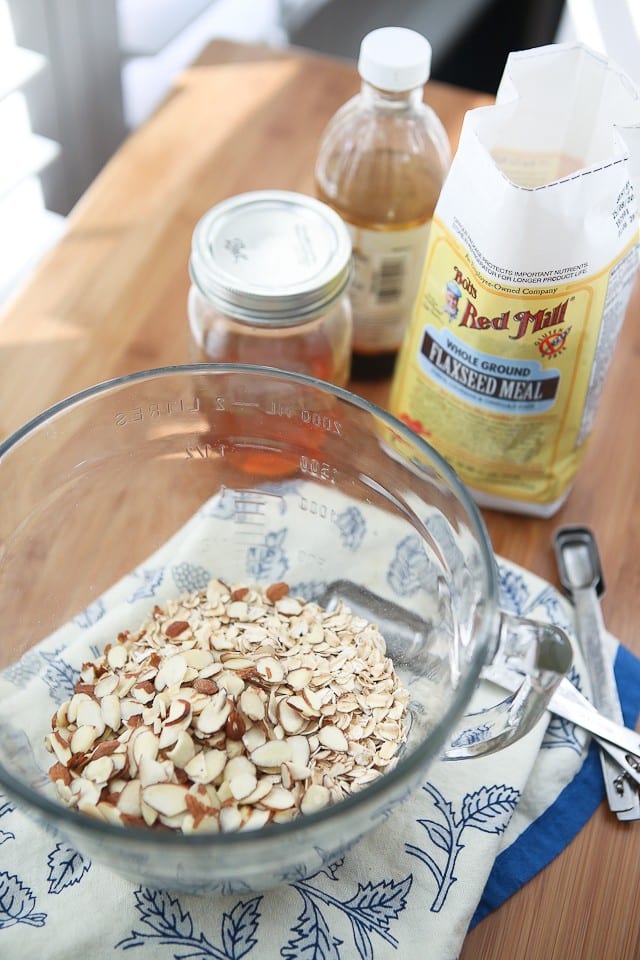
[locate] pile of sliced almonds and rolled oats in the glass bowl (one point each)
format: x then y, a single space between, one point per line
233 708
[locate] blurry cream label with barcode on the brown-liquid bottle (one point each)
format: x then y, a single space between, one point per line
387 268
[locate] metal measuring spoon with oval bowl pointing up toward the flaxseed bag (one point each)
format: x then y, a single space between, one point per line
581 576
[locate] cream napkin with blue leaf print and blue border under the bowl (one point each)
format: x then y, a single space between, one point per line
475 832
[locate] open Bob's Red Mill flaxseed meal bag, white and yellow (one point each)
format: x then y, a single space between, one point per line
532 254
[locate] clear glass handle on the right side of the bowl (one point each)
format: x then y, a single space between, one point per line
530 661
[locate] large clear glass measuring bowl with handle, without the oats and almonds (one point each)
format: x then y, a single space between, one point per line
140 488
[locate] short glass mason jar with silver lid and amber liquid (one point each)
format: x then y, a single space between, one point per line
270 272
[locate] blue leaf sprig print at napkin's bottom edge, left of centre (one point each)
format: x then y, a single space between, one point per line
172 926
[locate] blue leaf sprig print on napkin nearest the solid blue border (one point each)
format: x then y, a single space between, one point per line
488 809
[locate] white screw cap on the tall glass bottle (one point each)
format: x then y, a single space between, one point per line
394 58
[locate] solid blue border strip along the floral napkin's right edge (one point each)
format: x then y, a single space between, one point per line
543 840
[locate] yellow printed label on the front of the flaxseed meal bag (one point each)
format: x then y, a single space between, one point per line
503 376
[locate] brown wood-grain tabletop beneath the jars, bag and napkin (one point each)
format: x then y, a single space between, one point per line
111 299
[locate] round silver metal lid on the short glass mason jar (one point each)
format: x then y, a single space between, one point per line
271 256
